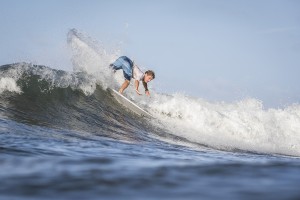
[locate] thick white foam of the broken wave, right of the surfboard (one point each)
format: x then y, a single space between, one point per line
243 125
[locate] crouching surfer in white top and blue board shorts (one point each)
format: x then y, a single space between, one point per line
131 70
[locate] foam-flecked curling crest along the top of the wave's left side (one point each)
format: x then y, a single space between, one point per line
14 77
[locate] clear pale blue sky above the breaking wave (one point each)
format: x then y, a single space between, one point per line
219 50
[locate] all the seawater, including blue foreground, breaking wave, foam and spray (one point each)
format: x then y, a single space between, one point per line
64 136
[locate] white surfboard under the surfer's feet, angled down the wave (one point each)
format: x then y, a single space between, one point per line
129 104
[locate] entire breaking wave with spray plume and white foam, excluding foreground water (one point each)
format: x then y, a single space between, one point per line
79 100
